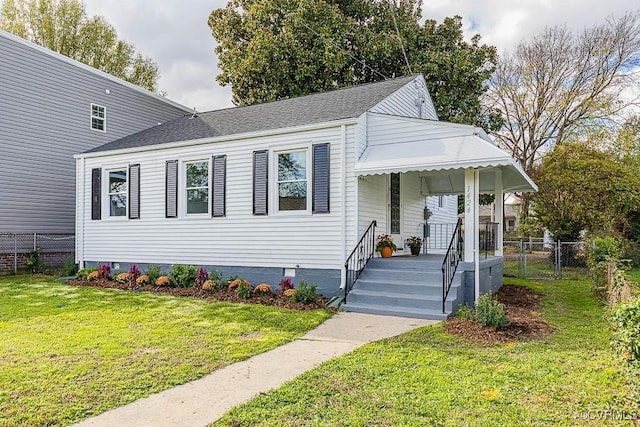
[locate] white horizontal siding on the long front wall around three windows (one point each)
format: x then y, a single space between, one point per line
240 238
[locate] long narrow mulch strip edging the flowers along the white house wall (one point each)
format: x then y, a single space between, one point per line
275 299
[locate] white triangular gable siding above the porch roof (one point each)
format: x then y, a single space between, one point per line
407 100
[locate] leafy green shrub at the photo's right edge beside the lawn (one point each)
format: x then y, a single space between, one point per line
626 327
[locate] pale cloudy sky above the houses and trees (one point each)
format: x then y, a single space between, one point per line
175 33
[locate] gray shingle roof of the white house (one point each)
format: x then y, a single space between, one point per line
322 107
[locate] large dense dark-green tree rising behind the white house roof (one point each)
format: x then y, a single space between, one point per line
269 50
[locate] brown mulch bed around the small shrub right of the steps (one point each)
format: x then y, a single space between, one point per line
520 304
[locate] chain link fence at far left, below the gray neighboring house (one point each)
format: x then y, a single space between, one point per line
54 249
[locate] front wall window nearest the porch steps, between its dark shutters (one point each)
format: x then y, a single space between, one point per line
292 181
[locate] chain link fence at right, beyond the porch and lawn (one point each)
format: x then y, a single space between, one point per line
536 258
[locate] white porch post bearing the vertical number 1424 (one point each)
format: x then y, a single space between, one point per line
472 223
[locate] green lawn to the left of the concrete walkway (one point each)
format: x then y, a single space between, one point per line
67 353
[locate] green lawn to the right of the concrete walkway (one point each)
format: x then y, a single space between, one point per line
428 377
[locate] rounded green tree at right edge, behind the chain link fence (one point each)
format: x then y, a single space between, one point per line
584 186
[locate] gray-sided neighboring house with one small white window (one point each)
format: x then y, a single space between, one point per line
52 107
